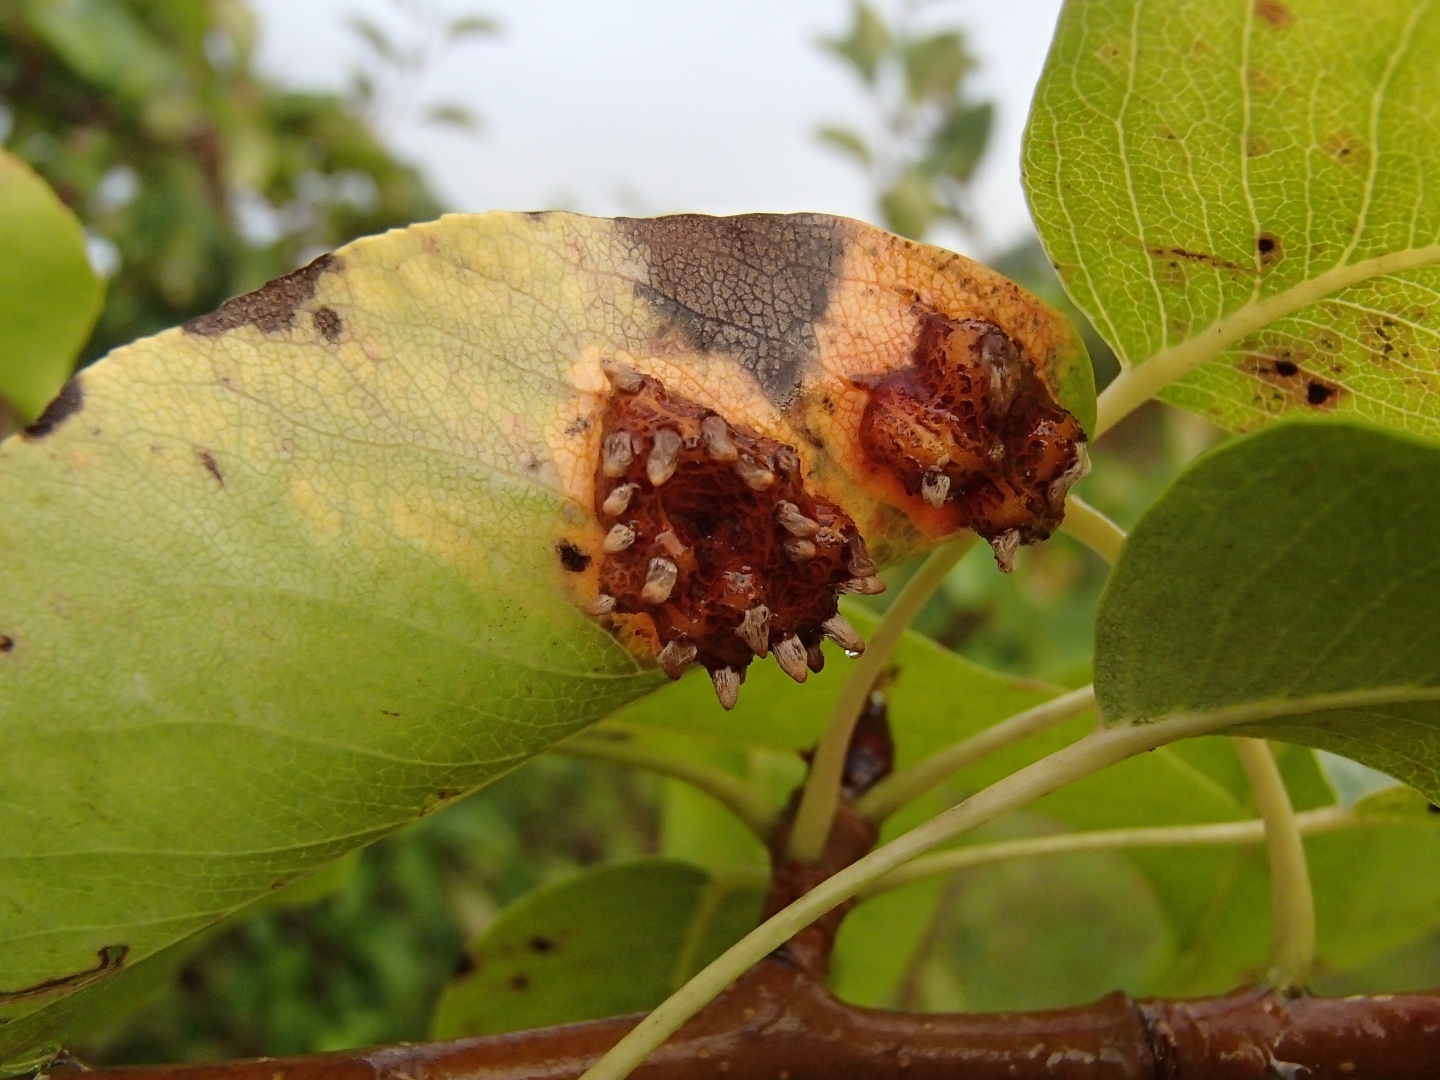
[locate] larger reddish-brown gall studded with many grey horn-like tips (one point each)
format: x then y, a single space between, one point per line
715 549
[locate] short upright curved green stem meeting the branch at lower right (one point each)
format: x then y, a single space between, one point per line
1292 902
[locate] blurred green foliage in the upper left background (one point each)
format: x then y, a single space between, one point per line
195 176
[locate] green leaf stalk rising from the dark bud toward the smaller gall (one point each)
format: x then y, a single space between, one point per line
822 793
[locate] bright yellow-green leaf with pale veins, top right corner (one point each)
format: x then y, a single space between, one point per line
1251 194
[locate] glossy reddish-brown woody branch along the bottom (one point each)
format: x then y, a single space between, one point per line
780 1023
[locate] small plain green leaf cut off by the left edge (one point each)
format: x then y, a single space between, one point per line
50 296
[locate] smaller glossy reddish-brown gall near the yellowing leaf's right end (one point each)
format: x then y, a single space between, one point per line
974 438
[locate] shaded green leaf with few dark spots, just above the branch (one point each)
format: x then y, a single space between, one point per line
603 944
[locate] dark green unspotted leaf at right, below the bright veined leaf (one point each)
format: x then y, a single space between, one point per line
1294 570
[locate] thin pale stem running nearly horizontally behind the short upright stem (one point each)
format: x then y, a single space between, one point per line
1225 833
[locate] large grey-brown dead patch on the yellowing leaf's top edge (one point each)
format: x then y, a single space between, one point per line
751 286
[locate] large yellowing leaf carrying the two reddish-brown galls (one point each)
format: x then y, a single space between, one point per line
279 581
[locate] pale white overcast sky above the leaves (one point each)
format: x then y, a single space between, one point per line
649 107
